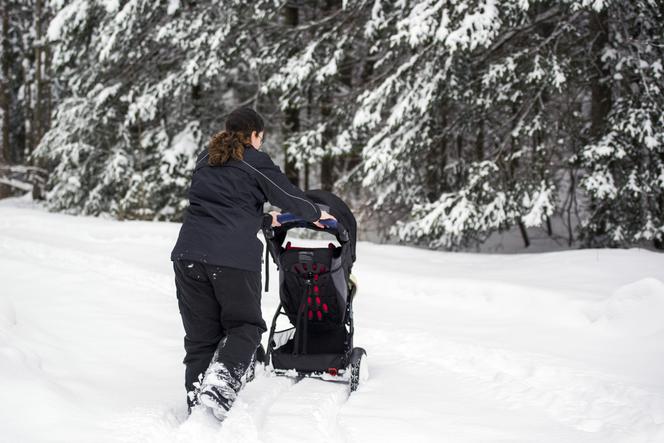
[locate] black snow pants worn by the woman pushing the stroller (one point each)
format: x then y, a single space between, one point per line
221 310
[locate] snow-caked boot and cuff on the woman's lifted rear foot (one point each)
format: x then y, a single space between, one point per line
218 390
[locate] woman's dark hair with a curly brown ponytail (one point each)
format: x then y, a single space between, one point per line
229 144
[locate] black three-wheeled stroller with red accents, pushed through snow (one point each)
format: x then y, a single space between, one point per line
316 292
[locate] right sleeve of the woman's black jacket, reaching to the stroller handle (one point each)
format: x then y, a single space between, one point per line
278 189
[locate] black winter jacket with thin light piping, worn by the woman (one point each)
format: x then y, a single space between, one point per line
226 208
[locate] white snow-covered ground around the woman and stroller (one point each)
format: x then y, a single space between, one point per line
557 347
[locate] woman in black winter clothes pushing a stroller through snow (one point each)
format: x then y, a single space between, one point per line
217 257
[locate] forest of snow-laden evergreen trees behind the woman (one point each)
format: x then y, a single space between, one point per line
448 124
